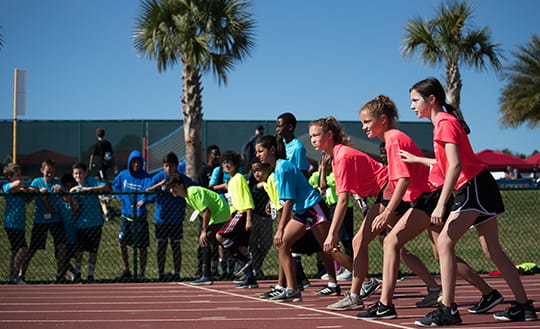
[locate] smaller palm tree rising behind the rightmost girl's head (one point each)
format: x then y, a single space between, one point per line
449 39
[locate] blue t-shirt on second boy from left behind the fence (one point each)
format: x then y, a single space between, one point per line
41 213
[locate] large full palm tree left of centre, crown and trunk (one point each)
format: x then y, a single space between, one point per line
205 35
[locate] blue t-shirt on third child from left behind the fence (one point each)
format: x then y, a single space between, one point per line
89 207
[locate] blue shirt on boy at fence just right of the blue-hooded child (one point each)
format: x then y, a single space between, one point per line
169 209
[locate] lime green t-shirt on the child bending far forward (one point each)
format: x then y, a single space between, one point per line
200 198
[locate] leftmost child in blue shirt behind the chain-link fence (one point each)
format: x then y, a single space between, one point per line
15 220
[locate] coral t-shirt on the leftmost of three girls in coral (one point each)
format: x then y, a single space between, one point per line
356 172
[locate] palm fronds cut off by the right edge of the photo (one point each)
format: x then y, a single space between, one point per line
520 99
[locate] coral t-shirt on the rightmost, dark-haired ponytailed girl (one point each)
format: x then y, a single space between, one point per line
449 130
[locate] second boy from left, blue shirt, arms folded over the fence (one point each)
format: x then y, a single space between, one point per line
47 218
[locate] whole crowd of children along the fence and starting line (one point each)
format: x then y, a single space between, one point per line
313 210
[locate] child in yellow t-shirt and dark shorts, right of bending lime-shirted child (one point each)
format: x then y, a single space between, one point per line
235 236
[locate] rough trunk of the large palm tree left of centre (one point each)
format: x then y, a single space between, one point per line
192 111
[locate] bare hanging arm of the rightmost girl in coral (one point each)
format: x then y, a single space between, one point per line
450 179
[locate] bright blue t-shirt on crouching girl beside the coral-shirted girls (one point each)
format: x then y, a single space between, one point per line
292 184
